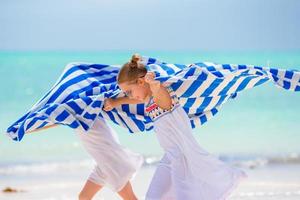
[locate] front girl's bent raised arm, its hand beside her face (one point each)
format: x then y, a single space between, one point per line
160 94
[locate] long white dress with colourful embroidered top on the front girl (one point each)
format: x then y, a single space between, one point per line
186 171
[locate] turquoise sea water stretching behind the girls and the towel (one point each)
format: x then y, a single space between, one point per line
263 122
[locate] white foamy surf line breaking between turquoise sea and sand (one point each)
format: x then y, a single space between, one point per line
34 167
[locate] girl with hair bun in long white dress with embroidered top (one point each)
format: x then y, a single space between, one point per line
186 171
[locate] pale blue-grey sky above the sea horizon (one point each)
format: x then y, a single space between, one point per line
88 25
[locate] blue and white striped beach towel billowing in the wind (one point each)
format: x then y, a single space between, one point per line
77 98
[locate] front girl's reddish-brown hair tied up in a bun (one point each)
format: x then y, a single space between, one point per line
132 70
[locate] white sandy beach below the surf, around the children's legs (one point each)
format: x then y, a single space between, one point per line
276 182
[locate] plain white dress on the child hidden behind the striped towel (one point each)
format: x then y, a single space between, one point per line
115 165
